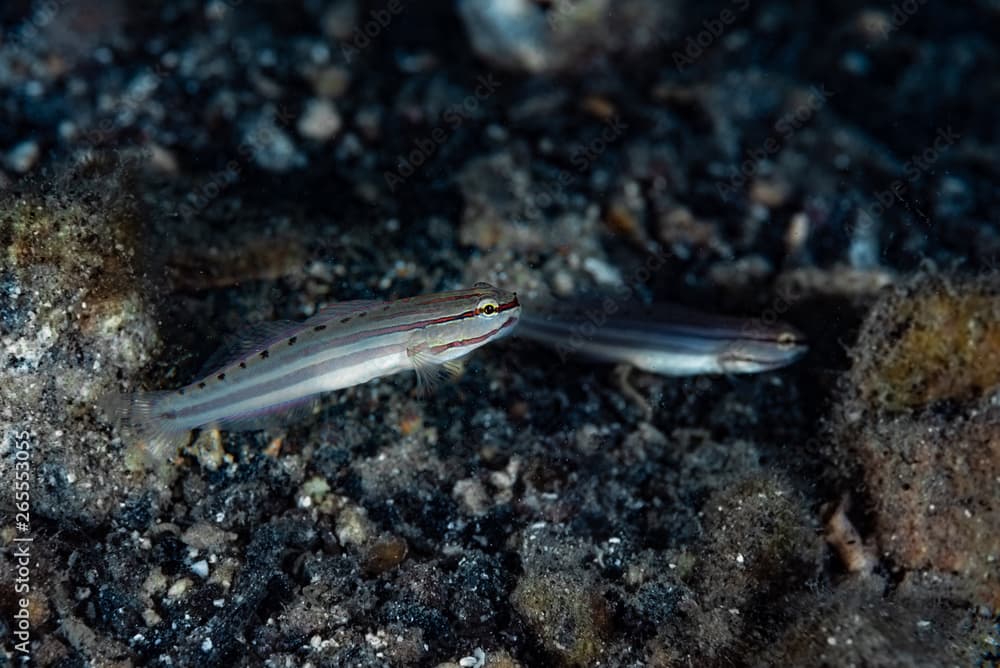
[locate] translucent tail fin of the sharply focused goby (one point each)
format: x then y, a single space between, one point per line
136 414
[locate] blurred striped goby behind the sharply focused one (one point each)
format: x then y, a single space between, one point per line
665 339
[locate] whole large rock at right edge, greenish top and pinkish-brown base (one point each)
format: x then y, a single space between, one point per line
920 426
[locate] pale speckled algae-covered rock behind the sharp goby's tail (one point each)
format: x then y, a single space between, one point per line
74 315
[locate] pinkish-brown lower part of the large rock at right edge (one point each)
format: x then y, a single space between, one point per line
931 484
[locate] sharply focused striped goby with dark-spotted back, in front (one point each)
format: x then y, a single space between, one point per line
283 365
